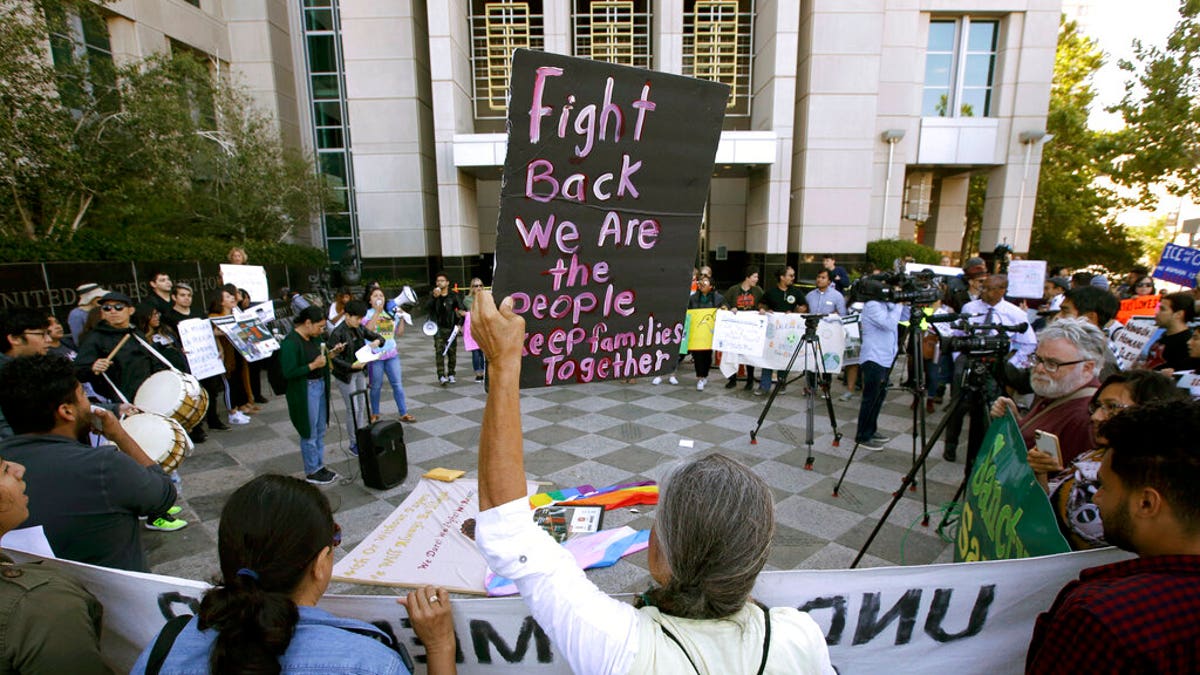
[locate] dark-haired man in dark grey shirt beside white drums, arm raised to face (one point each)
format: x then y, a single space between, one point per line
87 499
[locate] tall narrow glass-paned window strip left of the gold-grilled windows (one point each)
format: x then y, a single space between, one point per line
331 123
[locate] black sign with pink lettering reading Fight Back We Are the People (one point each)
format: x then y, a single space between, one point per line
605 182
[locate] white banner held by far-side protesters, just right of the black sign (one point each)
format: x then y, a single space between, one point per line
783 334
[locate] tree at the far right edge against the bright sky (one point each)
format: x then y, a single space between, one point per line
1161 110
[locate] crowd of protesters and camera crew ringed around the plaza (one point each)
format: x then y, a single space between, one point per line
1127 474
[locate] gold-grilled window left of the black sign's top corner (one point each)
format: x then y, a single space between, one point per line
497 29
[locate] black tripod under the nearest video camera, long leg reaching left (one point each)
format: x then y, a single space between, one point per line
979 387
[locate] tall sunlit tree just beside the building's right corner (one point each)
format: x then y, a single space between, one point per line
1075 214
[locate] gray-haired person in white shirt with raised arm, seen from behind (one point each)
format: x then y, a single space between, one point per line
713 531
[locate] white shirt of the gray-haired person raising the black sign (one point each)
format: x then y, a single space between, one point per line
597 634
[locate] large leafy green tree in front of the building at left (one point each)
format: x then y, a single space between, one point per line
163 146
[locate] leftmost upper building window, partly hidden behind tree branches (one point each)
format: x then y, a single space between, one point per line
83 58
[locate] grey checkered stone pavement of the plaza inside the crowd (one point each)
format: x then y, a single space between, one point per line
598 434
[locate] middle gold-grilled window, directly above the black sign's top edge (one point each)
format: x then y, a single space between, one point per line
617 32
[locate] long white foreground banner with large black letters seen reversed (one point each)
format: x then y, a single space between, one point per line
955 618
